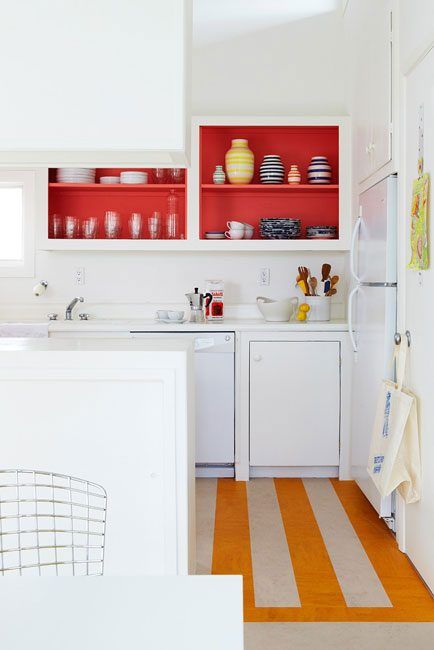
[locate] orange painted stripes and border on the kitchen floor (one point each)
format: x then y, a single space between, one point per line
319 590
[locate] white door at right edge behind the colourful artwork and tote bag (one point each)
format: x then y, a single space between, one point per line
419 318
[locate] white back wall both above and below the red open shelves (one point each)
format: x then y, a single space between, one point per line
294 68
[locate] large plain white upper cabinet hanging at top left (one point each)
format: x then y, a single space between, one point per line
94 77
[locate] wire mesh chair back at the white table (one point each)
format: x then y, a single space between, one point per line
51 524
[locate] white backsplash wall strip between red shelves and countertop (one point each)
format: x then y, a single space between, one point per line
133 285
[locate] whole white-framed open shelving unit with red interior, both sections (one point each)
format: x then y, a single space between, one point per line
204 206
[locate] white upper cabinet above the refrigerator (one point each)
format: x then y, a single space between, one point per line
369 31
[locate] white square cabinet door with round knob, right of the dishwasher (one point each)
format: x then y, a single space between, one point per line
294 403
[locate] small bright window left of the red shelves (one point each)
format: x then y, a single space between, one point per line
17 195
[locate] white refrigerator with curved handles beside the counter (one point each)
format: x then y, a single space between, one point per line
372 321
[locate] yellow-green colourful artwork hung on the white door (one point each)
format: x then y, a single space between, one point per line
419 224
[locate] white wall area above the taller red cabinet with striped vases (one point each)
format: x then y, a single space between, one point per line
293 69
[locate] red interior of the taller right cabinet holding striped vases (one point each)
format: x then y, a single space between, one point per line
313 204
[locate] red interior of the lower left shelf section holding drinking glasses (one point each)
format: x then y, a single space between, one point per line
93 200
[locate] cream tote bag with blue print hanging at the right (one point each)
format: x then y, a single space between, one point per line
394 455
